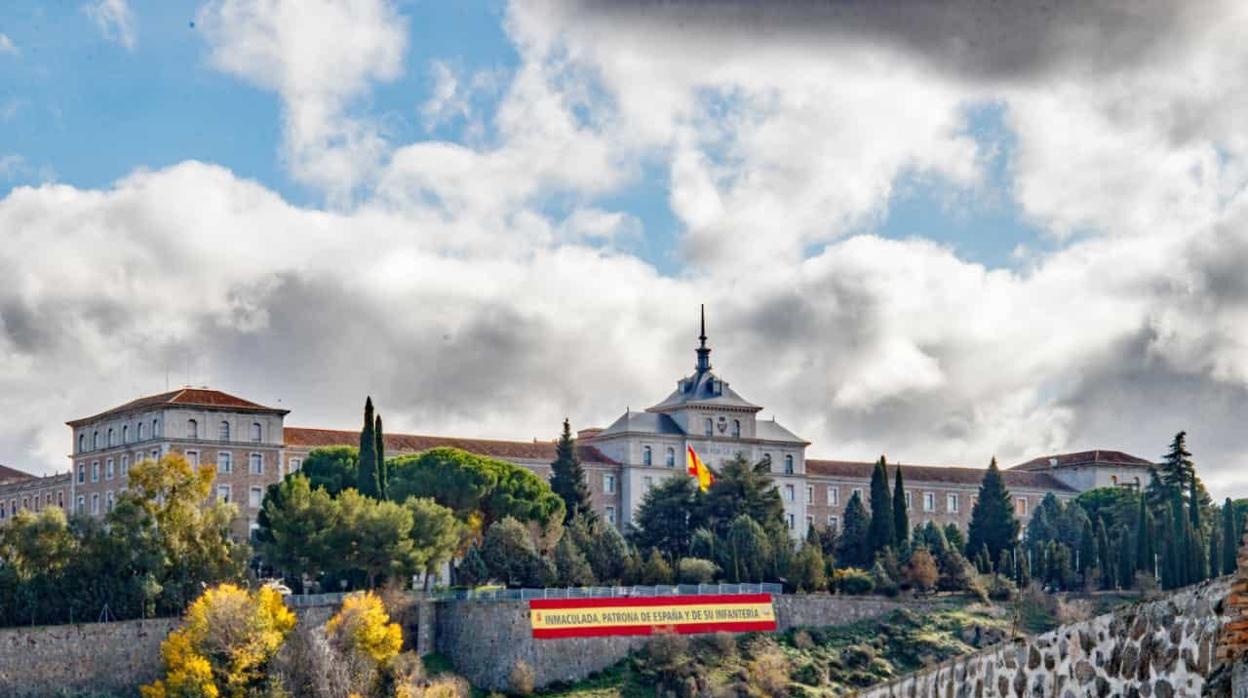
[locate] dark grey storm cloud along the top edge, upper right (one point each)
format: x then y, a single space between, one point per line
988 39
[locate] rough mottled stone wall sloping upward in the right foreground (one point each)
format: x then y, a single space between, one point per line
1161 649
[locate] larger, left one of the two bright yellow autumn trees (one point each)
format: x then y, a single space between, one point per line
225 645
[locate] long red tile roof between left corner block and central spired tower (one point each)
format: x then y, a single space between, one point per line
414 444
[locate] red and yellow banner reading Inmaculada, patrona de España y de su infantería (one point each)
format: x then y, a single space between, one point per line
643 616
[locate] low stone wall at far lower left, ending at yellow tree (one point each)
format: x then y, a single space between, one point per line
113 657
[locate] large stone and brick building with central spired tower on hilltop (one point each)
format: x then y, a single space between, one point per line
251 448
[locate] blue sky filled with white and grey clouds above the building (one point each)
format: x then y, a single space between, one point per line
945 233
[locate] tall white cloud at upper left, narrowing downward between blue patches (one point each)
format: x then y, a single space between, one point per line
319 57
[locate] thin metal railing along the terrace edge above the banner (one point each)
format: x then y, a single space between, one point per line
563 592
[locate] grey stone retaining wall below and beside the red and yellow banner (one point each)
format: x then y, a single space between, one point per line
485 640
